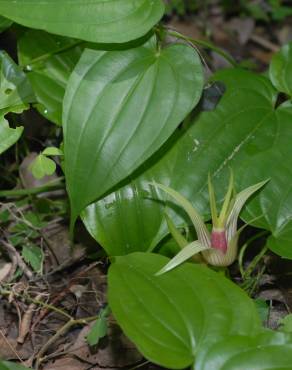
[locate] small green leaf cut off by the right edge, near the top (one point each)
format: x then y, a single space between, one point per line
280 71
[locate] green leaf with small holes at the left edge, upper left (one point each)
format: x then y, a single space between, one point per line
15 89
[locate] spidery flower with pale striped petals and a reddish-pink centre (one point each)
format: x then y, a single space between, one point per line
218 248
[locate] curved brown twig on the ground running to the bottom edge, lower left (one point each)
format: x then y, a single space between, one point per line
63 330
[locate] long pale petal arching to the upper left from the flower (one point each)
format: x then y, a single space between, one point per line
201 229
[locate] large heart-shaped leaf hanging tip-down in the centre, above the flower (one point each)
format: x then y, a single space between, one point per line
119 108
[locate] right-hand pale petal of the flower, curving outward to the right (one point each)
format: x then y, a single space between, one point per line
239 202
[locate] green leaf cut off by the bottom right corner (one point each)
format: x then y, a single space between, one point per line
268 350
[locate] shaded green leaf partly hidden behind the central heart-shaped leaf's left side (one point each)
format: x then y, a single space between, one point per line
48 68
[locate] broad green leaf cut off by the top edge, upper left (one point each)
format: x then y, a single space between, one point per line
91 20
